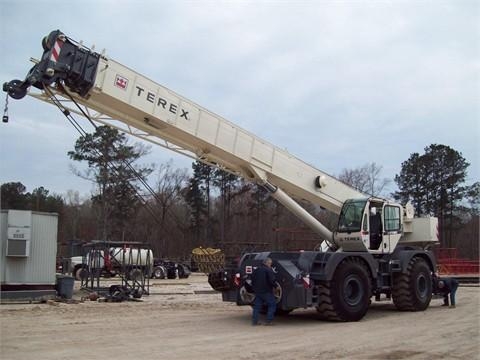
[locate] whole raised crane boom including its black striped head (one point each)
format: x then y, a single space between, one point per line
115 90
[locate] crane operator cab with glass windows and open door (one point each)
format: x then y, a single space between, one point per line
373 225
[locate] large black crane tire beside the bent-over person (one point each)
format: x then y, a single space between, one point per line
412 290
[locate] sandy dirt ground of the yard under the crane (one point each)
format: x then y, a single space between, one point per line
182 319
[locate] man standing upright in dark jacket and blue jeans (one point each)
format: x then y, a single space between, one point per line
263 283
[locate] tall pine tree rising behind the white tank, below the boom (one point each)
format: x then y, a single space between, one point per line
111 166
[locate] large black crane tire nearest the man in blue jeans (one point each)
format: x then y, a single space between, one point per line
347 296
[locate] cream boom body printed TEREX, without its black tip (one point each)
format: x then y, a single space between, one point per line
146 105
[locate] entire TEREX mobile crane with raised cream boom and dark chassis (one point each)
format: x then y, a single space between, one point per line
377 248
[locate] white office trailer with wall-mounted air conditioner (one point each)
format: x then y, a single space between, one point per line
28 254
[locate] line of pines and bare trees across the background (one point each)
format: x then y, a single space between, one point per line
211 207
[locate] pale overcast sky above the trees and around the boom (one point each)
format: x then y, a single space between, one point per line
337 83
